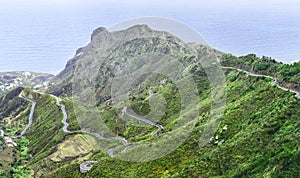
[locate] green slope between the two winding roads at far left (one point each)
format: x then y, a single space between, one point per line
45 132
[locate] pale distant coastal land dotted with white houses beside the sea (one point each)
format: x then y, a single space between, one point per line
11 80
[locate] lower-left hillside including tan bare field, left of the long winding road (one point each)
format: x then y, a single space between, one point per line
43 147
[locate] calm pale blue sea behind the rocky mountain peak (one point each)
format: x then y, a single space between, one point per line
43 40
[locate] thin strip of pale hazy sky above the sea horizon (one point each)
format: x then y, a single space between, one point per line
158 3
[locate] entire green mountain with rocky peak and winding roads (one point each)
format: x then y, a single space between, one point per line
143 103
